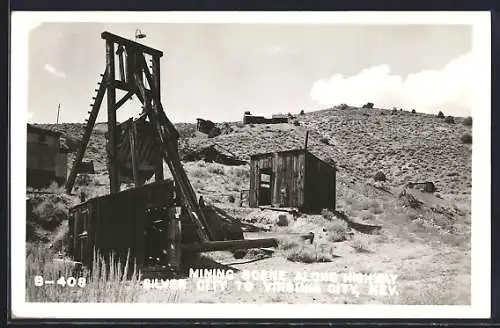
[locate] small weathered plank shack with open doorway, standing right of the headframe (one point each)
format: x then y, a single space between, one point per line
293 178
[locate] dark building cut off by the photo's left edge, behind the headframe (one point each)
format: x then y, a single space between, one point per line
47 159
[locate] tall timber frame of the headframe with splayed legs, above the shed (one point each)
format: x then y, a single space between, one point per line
132 70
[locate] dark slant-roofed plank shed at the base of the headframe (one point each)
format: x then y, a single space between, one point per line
128 220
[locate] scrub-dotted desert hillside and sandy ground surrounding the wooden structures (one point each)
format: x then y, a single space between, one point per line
424 237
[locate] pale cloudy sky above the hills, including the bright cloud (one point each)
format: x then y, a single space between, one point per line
218 71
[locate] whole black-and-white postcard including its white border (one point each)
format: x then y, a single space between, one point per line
242 164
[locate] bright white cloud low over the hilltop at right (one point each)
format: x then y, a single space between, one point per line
449 89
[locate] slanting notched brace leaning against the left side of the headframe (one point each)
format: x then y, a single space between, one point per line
87 133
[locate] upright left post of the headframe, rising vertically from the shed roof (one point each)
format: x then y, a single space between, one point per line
114 180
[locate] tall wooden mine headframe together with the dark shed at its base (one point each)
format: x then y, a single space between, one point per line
154 221
